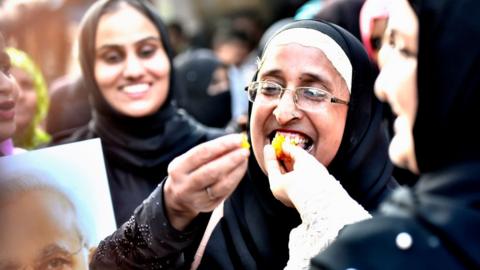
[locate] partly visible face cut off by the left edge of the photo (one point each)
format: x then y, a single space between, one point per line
8 96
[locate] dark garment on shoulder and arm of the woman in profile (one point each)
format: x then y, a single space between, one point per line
441 216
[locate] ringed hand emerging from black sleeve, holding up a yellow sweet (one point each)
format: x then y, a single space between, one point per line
219 164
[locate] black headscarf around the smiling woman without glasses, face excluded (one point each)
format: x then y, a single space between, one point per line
137 149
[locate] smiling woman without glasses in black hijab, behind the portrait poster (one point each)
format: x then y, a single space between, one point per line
132 112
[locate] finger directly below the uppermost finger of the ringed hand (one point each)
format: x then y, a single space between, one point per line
212 172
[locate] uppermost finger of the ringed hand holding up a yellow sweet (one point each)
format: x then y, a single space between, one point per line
205 152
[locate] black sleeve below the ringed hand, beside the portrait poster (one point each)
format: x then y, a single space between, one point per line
148 241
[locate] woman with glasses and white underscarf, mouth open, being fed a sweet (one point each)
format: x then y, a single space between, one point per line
253 225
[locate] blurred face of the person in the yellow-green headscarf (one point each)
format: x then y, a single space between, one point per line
27 103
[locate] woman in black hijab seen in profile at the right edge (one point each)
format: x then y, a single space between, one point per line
435 224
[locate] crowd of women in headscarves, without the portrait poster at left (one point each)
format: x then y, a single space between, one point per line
375 102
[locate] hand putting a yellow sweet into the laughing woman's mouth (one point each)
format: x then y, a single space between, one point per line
294 186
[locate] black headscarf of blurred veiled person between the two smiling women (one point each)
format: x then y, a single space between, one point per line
195 71
